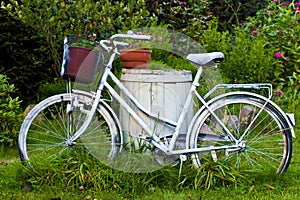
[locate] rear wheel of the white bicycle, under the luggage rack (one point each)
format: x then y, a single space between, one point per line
260 125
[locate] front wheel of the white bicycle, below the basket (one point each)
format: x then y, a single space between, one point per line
46 131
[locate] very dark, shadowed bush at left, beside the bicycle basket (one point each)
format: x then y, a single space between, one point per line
24 58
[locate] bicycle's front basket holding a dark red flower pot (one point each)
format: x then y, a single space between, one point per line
81 58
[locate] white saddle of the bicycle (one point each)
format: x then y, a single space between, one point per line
206 59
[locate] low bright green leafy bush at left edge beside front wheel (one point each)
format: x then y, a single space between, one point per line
10 116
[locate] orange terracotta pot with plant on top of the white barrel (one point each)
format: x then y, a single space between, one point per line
138 55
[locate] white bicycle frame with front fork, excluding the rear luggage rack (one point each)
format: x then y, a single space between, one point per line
151 137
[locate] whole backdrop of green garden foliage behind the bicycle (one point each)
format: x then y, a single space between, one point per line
261 48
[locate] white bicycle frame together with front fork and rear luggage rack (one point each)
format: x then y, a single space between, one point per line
169 148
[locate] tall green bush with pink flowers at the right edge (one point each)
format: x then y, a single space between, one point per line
279 25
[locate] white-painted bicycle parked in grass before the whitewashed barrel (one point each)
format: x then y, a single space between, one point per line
241 128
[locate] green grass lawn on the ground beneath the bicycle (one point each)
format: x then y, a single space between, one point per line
64 181
